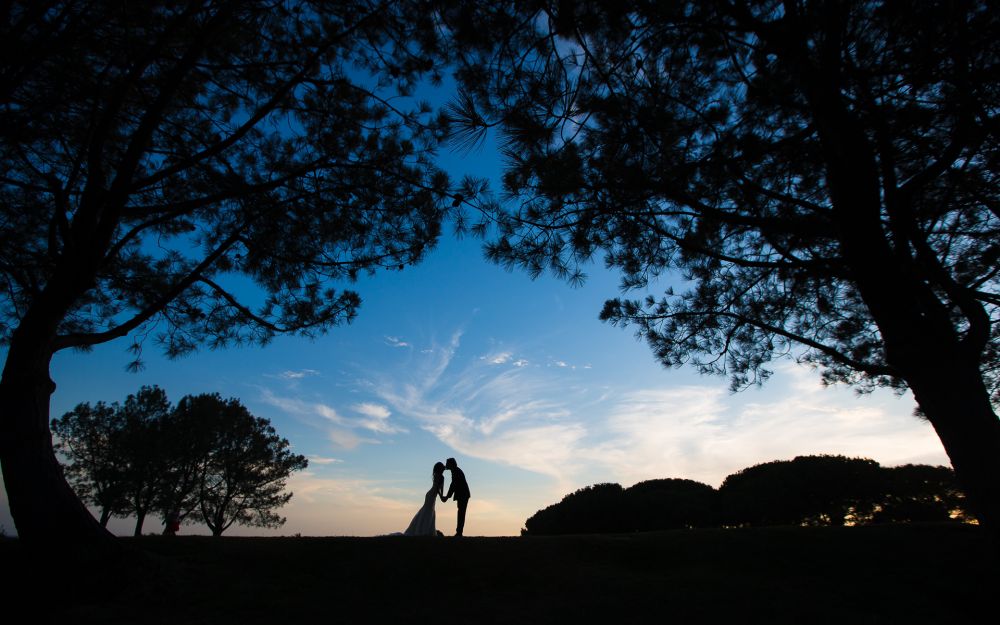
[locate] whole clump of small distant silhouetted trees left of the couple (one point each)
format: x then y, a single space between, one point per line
207 459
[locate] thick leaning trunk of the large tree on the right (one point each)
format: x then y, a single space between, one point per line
922 342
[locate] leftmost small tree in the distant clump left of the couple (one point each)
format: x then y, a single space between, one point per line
86 436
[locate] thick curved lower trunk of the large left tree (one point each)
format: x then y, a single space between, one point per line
44 507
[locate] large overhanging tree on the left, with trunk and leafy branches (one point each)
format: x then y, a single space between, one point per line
151 151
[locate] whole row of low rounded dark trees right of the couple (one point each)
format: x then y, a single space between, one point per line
807 490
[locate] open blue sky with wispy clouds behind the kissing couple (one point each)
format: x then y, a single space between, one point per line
517 379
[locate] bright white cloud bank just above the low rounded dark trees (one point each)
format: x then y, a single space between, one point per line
703 433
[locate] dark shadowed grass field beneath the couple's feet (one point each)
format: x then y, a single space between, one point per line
867 575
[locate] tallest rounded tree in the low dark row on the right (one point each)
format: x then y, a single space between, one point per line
807 490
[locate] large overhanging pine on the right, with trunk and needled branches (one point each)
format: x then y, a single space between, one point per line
822 174
